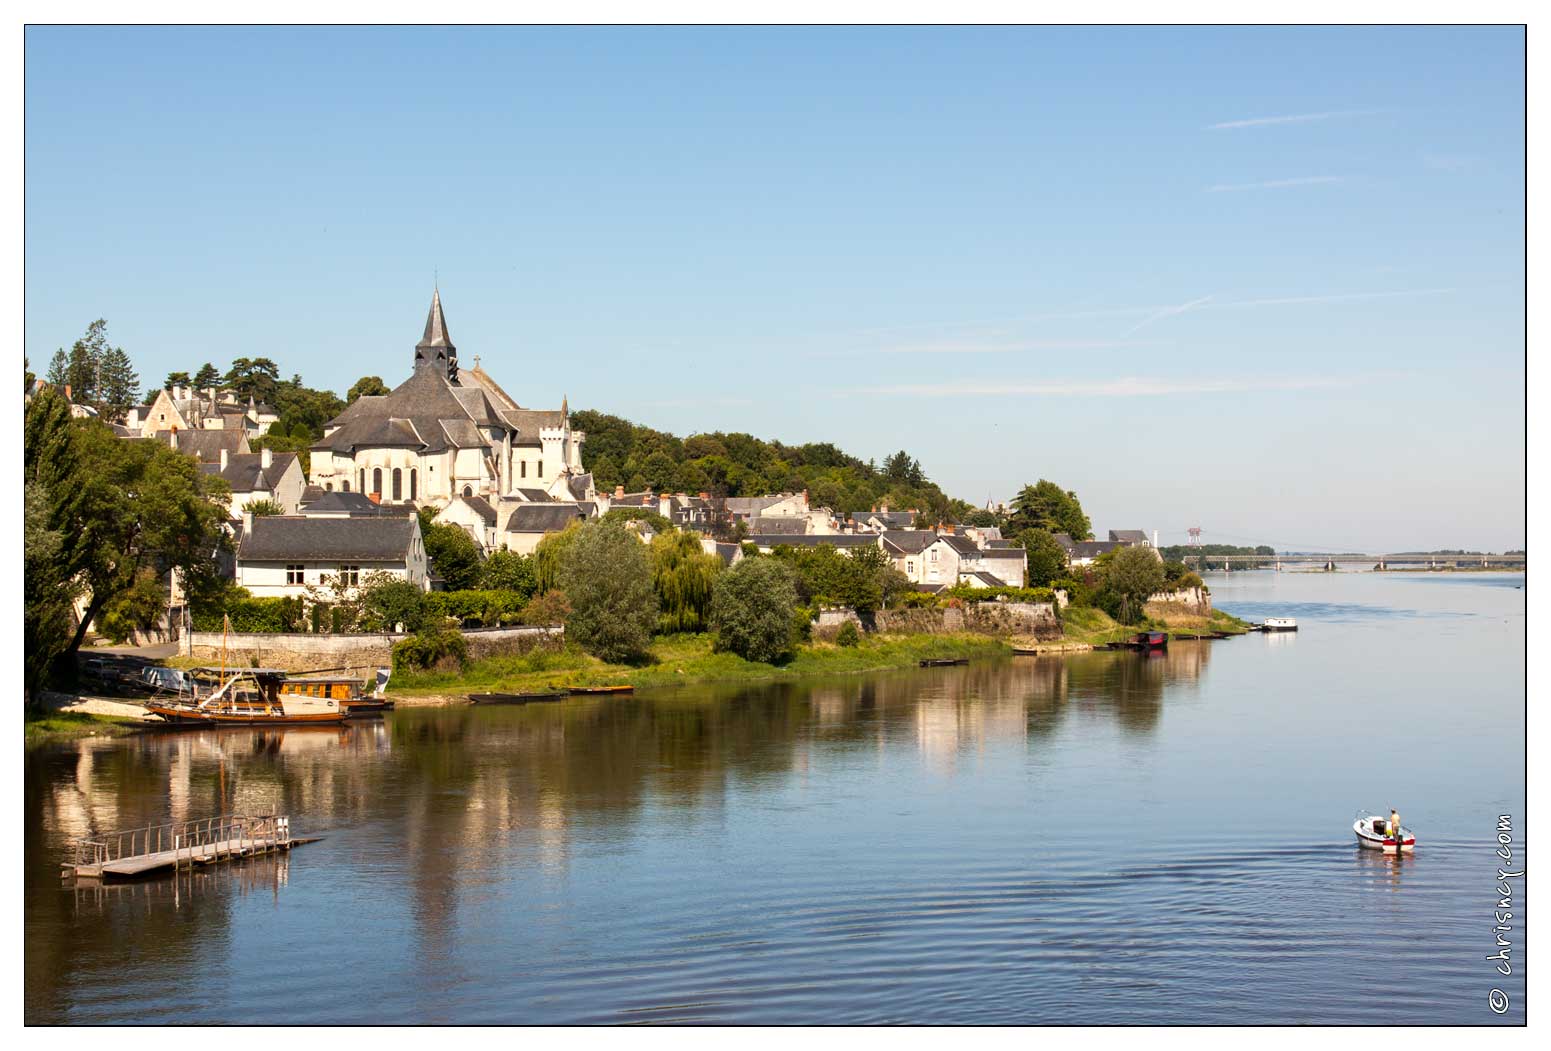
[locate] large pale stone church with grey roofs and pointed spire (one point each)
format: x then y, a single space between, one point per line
447 433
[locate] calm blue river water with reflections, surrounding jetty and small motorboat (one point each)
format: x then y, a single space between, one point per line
1097 839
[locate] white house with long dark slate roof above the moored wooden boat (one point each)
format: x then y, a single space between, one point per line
283 556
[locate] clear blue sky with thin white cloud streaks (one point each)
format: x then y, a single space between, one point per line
1262 281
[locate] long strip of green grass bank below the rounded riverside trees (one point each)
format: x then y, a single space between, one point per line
683 660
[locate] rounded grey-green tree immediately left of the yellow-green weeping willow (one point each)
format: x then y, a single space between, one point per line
607 579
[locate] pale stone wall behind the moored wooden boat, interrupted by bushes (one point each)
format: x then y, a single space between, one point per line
309 653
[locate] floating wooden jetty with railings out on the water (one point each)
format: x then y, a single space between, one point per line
142 852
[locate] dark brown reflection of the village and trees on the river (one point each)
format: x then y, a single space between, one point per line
437 805
